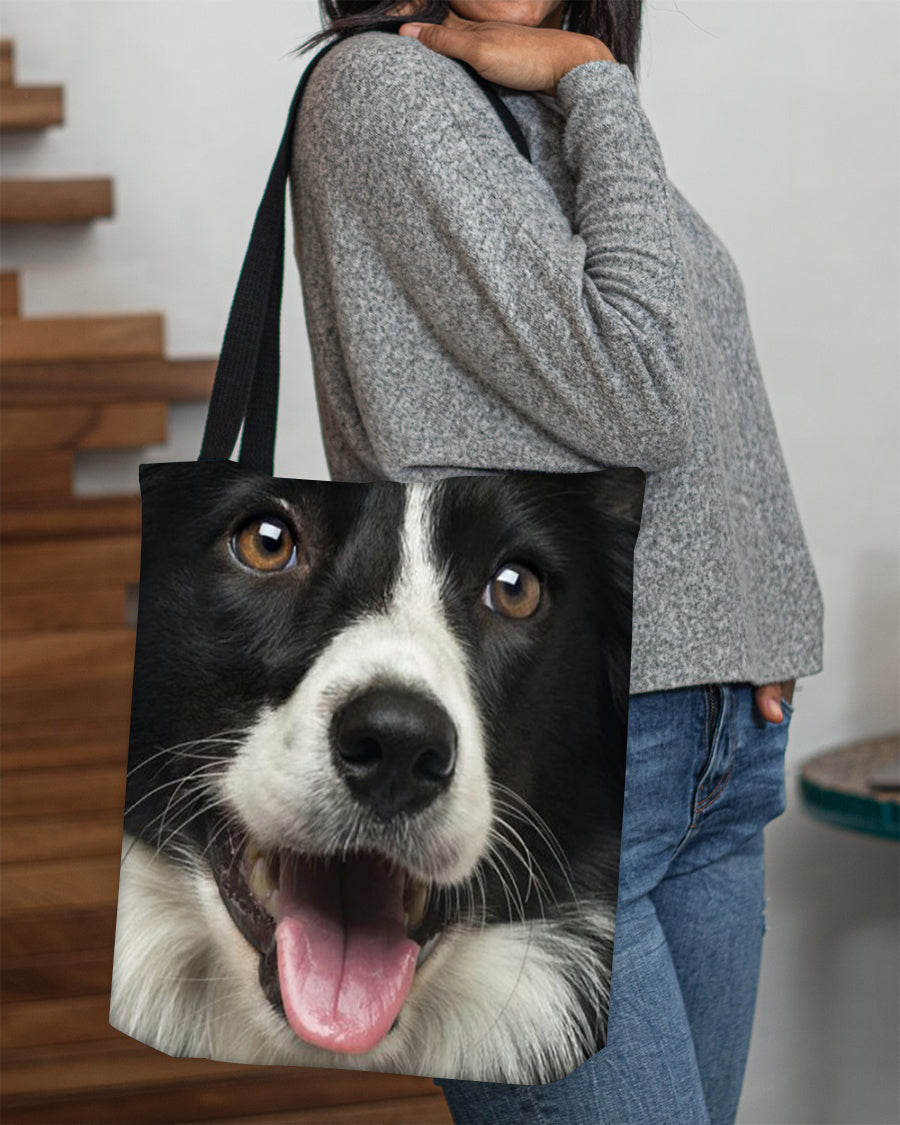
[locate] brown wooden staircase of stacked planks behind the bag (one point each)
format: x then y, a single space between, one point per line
67 589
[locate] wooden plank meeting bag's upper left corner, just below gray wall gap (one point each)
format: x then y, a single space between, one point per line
78 517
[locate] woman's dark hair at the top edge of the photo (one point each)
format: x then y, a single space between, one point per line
616 23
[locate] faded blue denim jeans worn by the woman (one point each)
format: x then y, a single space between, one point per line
705 775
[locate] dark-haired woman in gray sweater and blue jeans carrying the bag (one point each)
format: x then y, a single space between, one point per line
470 311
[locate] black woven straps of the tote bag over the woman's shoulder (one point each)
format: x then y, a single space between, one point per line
246 389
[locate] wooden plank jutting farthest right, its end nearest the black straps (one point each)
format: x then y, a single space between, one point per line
157 380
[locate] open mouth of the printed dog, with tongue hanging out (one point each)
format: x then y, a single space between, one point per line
340 938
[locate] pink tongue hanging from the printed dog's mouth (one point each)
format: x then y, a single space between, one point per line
345 961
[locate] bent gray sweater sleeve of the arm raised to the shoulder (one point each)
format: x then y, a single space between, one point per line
582 330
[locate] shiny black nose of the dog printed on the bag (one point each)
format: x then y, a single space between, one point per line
397 751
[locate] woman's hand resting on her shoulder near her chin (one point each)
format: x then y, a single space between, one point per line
510 55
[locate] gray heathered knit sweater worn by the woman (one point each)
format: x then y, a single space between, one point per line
469 311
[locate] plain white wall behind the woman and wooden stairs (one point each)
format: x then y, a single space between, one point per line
779 120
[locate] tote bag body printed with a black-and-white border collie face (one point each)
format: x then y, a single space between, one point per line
376 770
